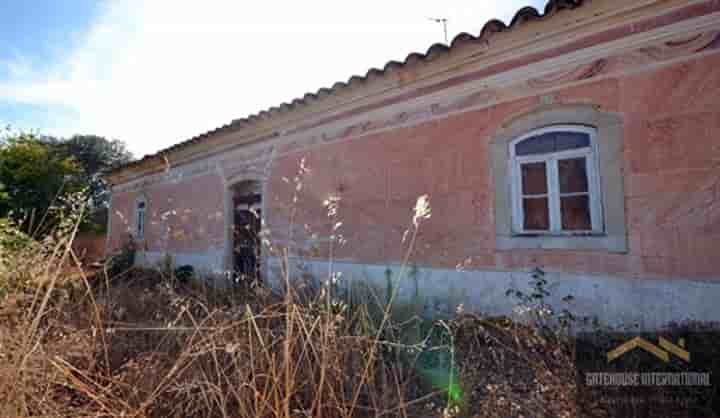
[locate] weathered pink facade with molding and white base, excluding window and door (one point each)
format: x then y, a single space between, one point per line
436 141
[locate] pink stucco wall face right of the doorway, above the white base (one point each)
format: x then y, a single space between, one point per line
672 187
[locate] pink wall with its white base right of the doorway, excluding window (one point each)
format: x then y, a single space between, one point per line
671 271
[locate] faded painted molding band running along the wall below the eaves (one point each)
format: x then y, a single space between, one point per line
669 45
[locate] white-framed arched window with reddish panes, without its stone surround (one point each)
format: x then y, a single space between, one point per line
555 182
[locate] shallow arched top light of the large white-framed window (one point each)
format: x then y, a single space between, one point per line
553 139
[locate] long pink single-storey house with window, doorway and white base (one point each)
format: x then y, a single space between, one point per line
584 140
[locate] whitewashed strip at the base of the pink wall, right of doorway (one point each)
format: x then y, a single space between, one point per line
621 303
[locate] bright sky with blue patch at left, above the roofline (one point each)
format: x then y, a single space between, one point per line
154 73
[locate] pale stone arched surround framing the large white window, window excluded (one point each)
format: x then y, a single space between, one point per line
609 140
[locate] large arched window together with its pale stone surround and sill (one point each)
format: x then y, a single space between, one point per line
558 180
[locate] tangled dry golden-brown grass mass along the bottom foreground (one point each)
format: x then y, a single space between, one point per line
139 346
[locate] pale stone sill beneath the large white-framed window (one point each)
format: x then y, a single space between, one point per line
589 242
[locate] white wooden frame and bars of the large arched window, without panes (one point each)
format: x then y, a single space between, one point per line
553 193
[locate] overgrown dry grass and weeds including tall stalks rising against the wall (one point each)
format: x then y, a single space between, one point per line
119 341
